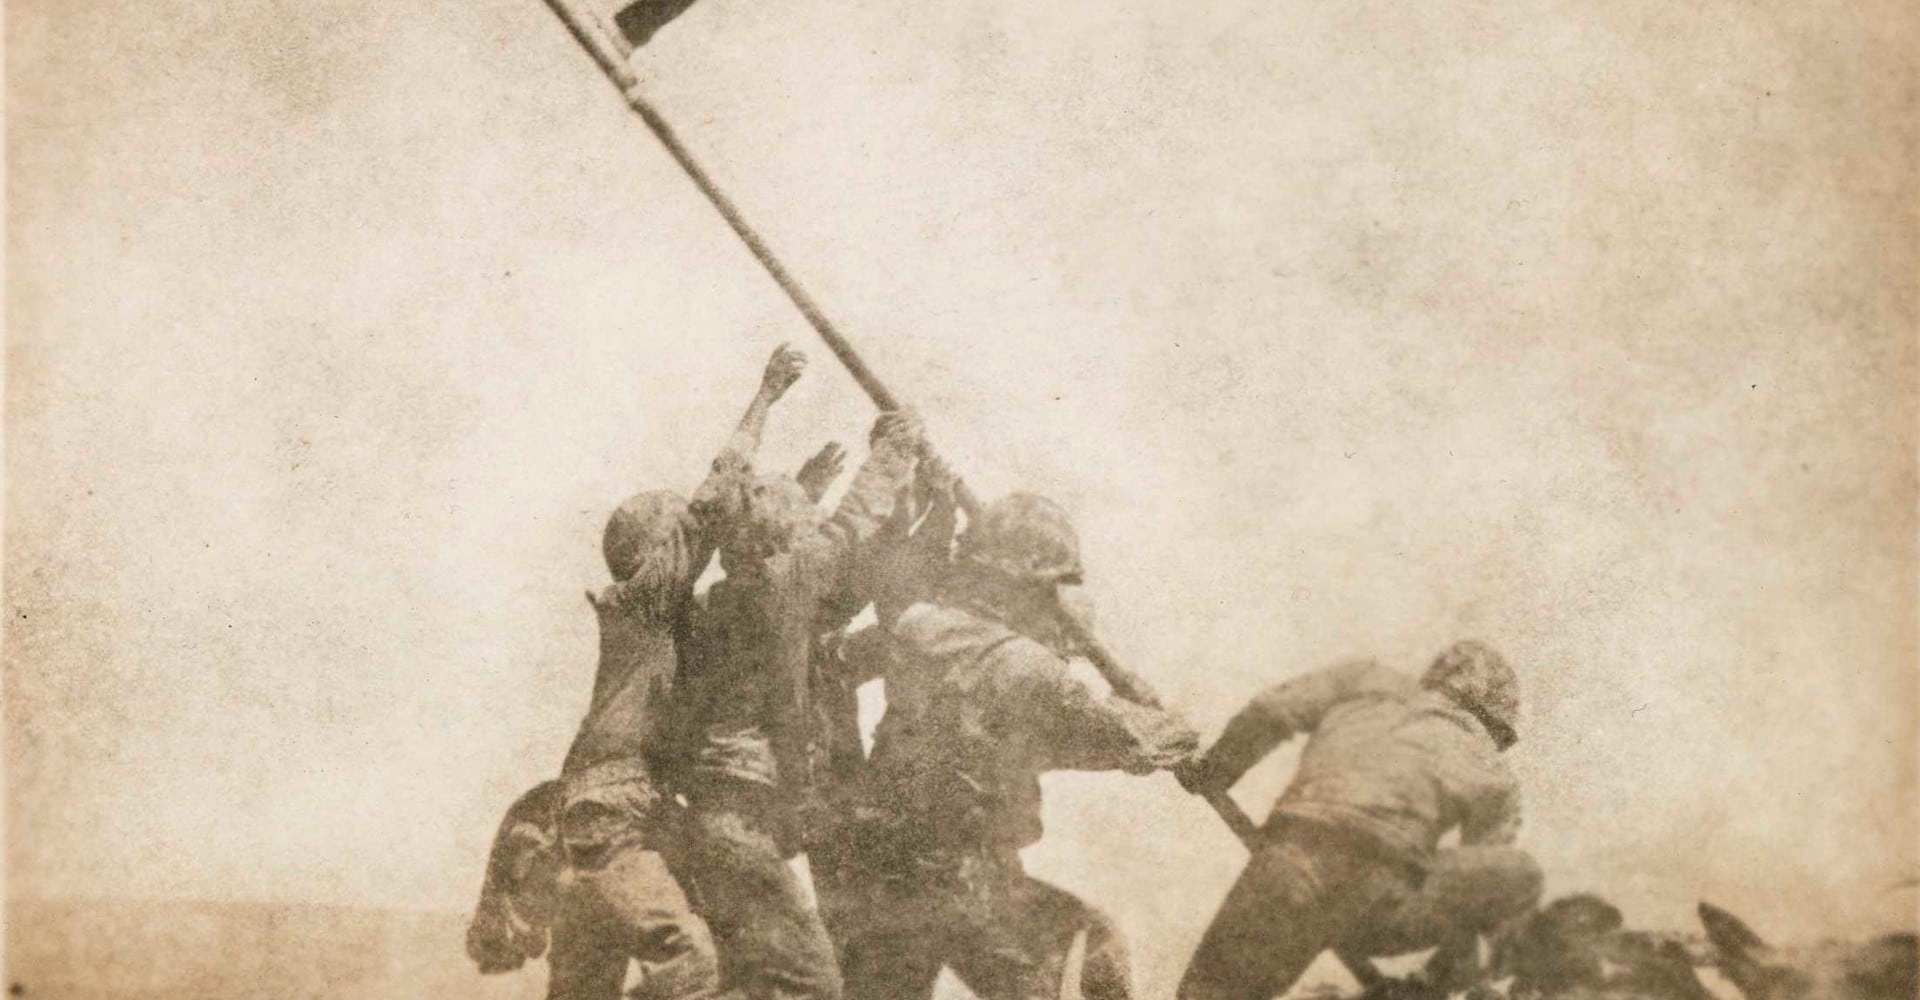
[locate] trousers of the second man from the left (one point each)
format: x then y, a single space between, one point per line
773 941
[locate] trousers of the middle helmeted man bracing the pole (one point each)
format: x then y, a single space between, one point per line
1007 936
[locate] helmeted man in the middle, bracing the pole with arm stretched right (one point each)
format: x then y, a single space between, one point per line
980 702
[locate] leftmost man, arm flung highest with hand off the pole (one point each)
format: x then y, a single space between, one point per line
608 813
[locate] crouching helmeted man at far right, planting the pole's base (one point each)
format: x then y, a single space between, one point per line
1351 849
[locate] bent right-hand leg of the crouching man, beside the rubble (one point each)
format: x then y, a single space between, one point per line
1468 893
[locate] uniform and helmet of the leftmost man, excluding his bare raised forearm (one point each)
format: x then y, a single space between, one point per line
617 822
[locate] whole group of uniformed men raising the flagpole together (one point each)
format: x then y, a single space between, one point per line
723 742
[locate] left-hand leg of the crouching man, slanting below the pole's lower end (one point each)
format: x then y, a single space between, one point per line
1295 899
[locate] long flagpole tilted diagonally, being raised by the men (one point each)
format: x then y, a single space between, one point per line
612 59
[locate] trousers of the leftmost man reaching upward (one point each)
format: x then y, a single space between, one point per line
625 905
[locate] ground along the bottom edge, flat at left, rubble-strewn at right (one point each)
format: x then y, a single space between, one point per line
1575 949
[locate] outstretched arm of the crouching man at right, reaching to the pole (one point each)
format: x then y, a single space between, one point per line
1276 715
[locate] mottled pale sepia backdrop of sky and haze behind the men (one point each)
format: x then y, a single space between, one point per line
337 329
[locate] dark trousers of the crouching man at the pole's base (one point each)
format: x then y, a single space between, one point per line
1312 888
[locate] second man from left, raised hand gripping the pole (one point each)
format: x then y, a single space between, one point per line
759 748
